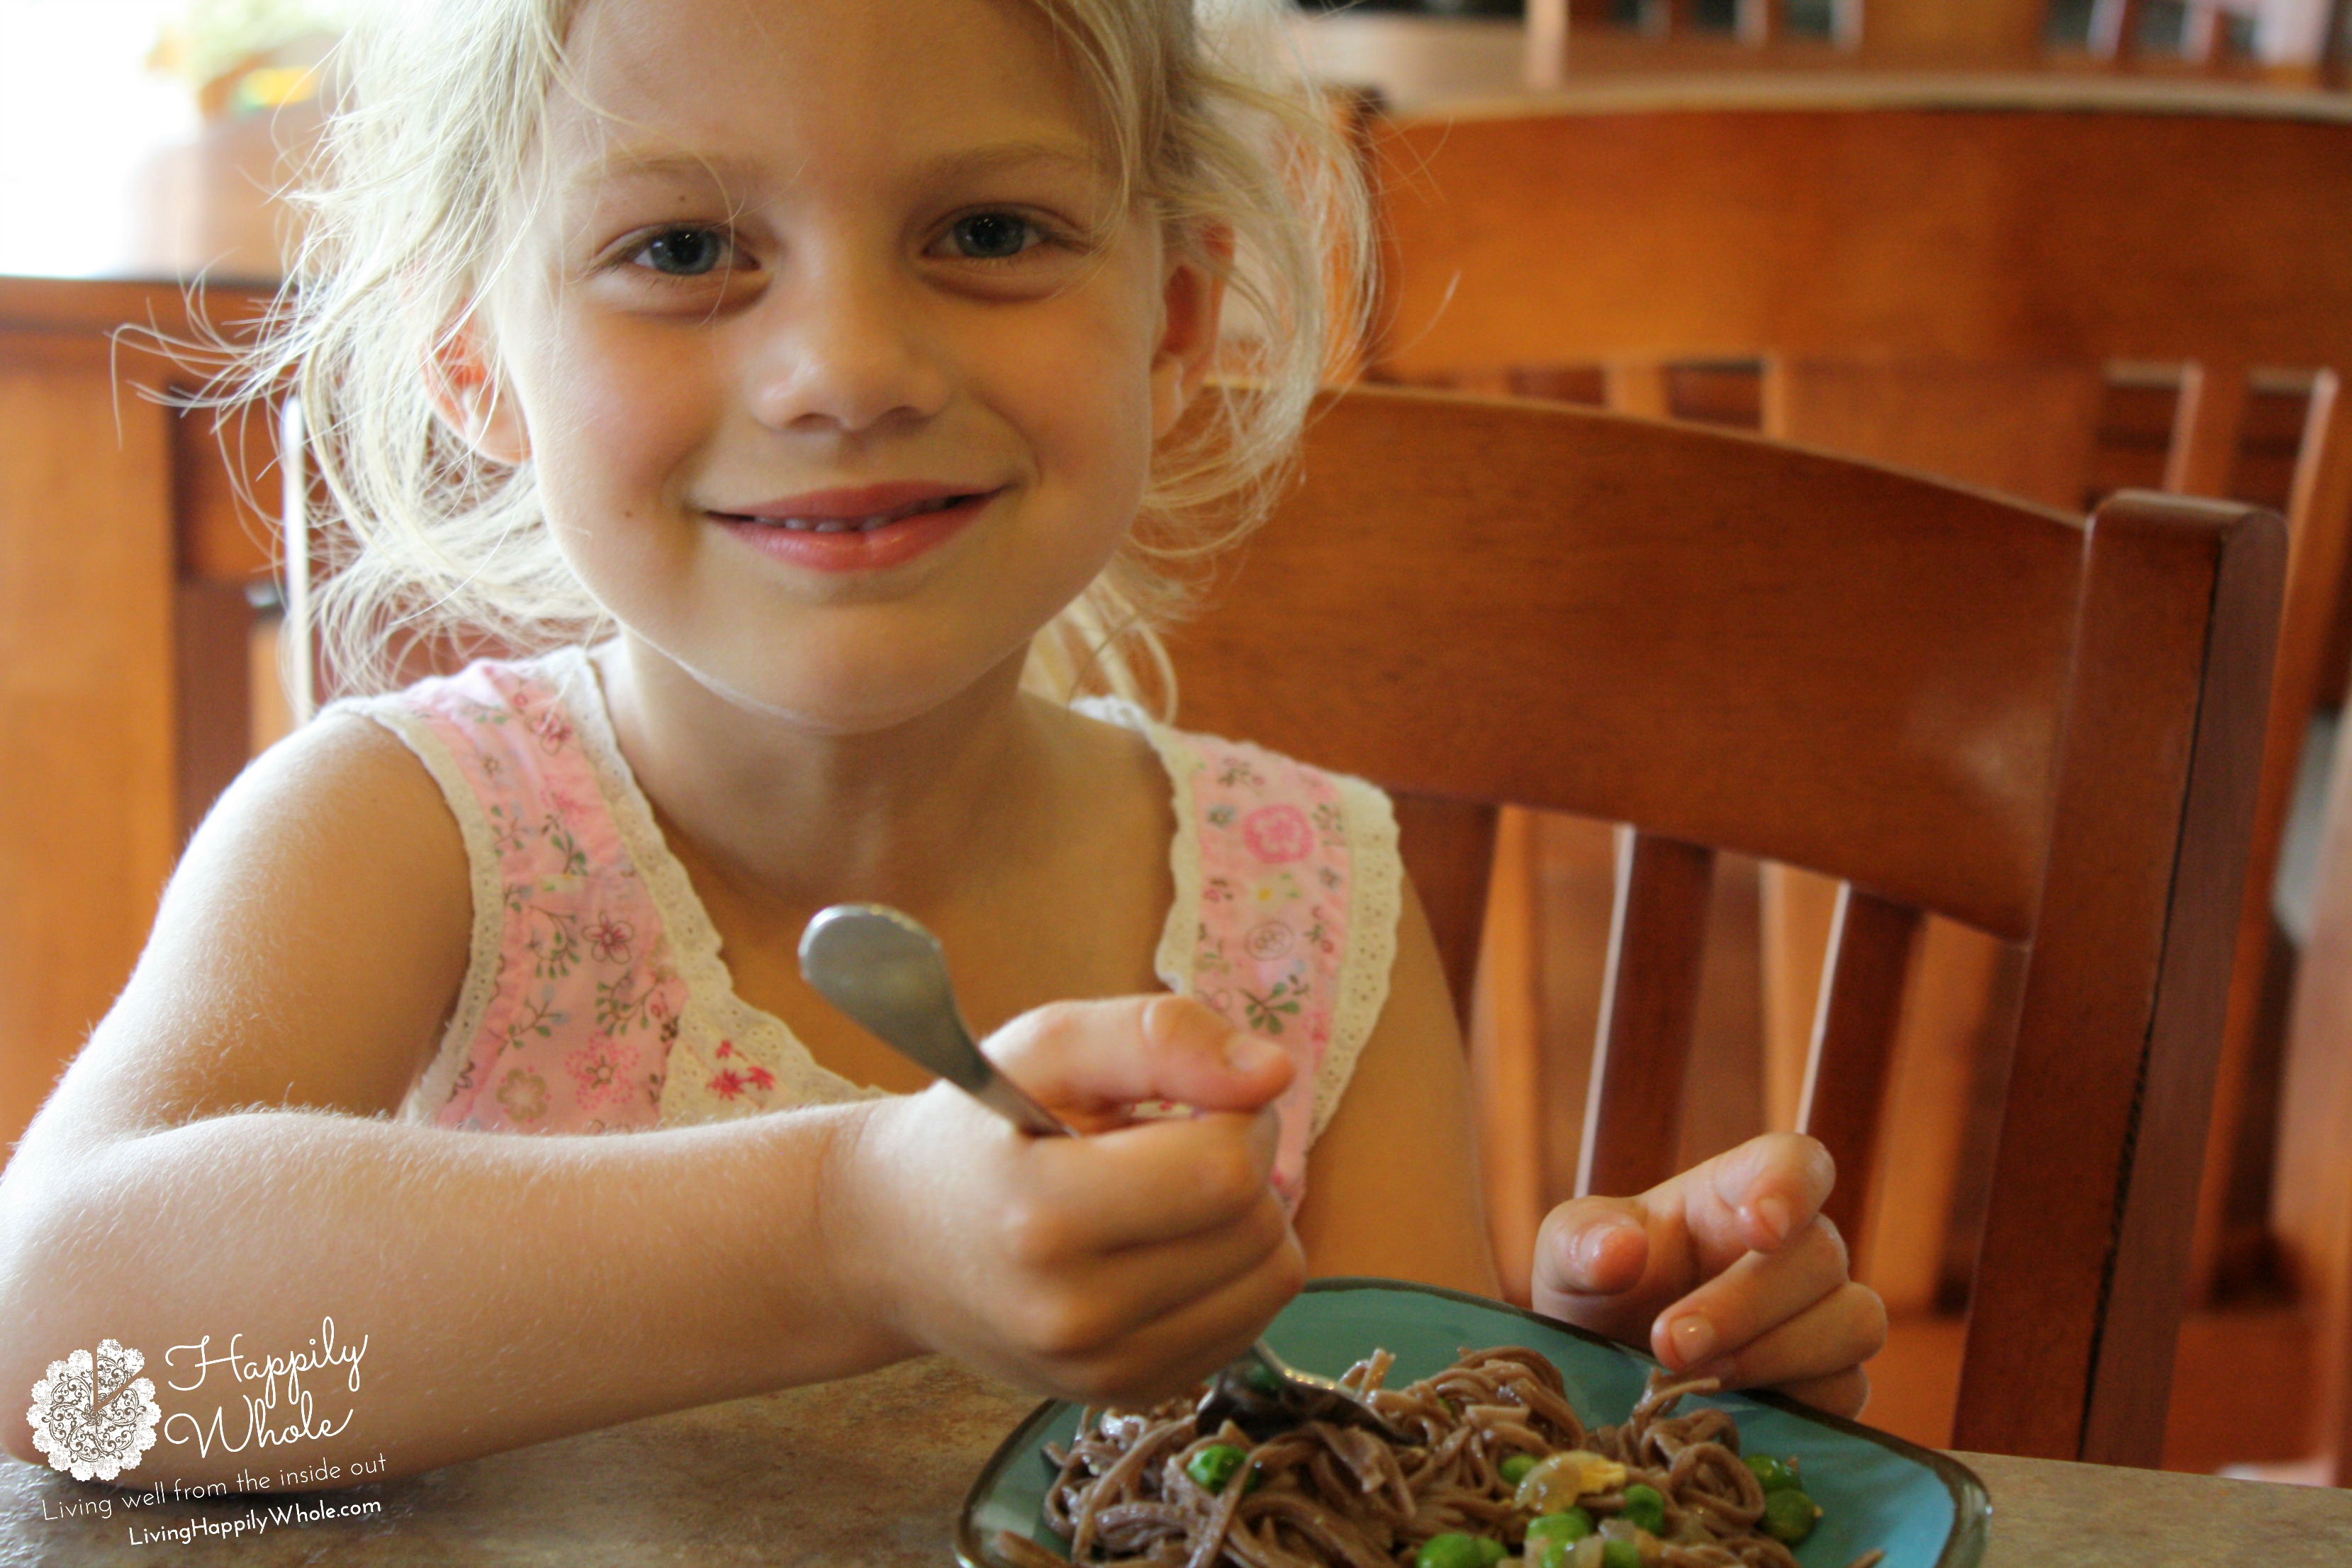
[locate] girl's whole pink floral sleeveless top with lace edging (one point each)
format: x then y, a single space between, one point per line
599 1000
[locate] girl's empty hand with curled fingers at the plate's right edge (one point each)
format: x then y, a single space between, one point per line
1730 1271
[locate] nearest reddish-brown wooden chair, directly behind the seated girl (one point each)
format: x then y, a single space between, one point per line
2043 728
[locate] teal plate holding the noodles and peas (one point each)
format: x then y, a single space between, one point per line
1876 1492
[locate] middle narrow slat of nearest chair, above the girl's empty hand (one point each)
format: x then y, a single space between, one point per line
1650 1005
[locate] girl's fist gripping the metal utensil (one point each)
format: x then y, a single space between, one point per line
1114 1268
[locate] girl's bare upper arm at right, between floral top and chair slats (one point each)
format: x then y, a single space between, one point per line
1394 1181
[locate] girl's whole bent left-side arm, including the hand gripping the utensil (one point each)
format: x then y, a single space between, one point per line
220 1165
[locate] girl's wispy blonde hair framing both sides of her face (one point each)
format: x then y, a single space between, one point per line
410 217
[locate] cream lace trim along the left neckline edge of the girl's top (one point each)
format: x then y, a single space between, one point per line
716 1021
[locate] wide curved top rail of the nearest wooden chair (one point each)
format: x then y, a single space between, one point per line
1927 624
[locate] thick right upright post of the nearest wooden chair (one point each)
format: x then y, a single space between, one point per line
2127 986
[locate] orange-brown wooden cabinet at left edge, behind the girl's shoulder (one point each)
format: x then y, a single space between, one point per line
126 558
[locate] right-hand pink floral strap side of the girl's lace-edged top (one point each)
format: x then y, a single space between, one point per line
1288 902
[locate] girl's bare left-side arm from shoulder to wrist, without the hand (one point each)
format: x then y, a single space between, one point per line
218 1162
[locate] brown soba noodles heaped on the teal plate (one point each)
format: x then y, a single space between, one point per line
1347 1499
